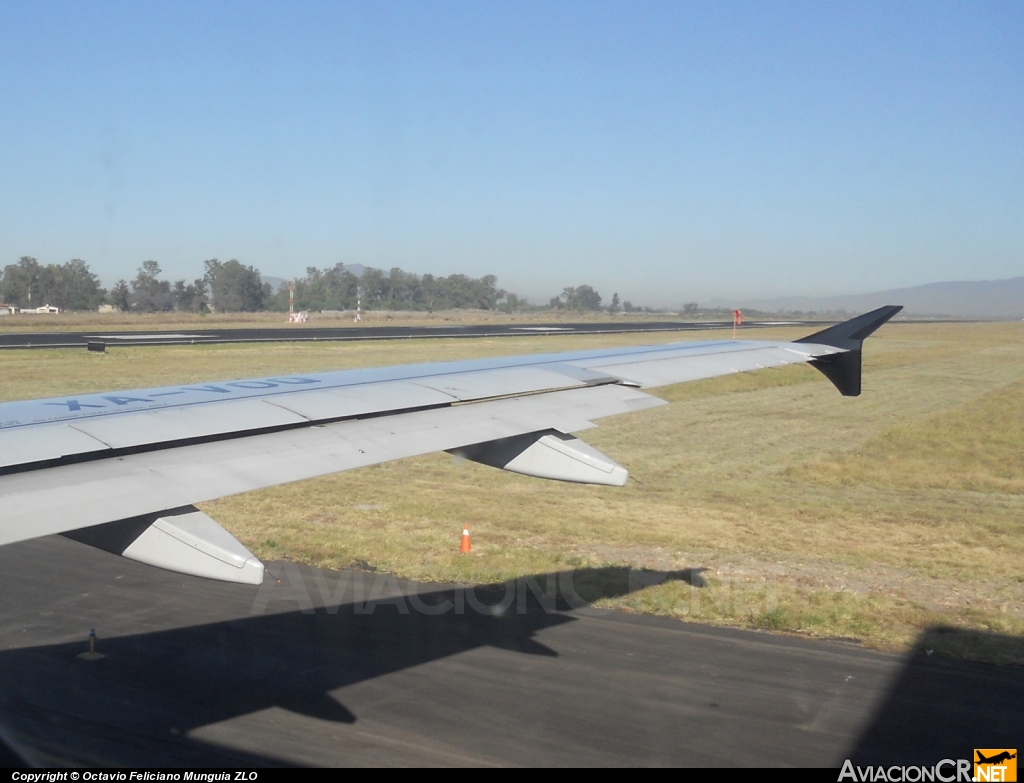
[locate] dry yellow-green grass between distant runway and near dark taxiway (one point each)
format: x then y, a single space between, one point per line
871 518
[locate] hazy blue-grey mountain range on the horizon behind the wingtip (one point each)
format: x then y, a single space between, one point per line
966 299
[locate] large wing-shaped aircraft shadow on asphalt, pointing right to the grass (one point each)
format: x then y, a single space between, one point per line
138 705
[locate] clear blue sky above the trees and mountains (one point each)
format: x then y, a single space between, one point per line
669 152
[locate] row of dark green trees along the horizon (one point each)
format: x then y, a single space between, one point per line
234 287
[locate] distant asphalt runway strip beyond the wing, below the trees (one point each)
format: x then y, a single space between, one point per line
298 334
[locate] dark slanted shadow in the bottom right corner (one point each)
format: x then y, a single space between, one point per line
941 703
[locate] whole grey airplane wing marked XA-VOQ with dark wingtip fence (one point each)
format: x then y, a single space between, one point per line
122 471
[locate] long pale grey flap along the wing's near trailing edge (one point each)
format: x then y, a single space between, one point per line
56 500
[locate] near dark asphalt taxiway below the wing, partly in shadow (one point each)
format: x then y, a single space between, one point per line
357 669
